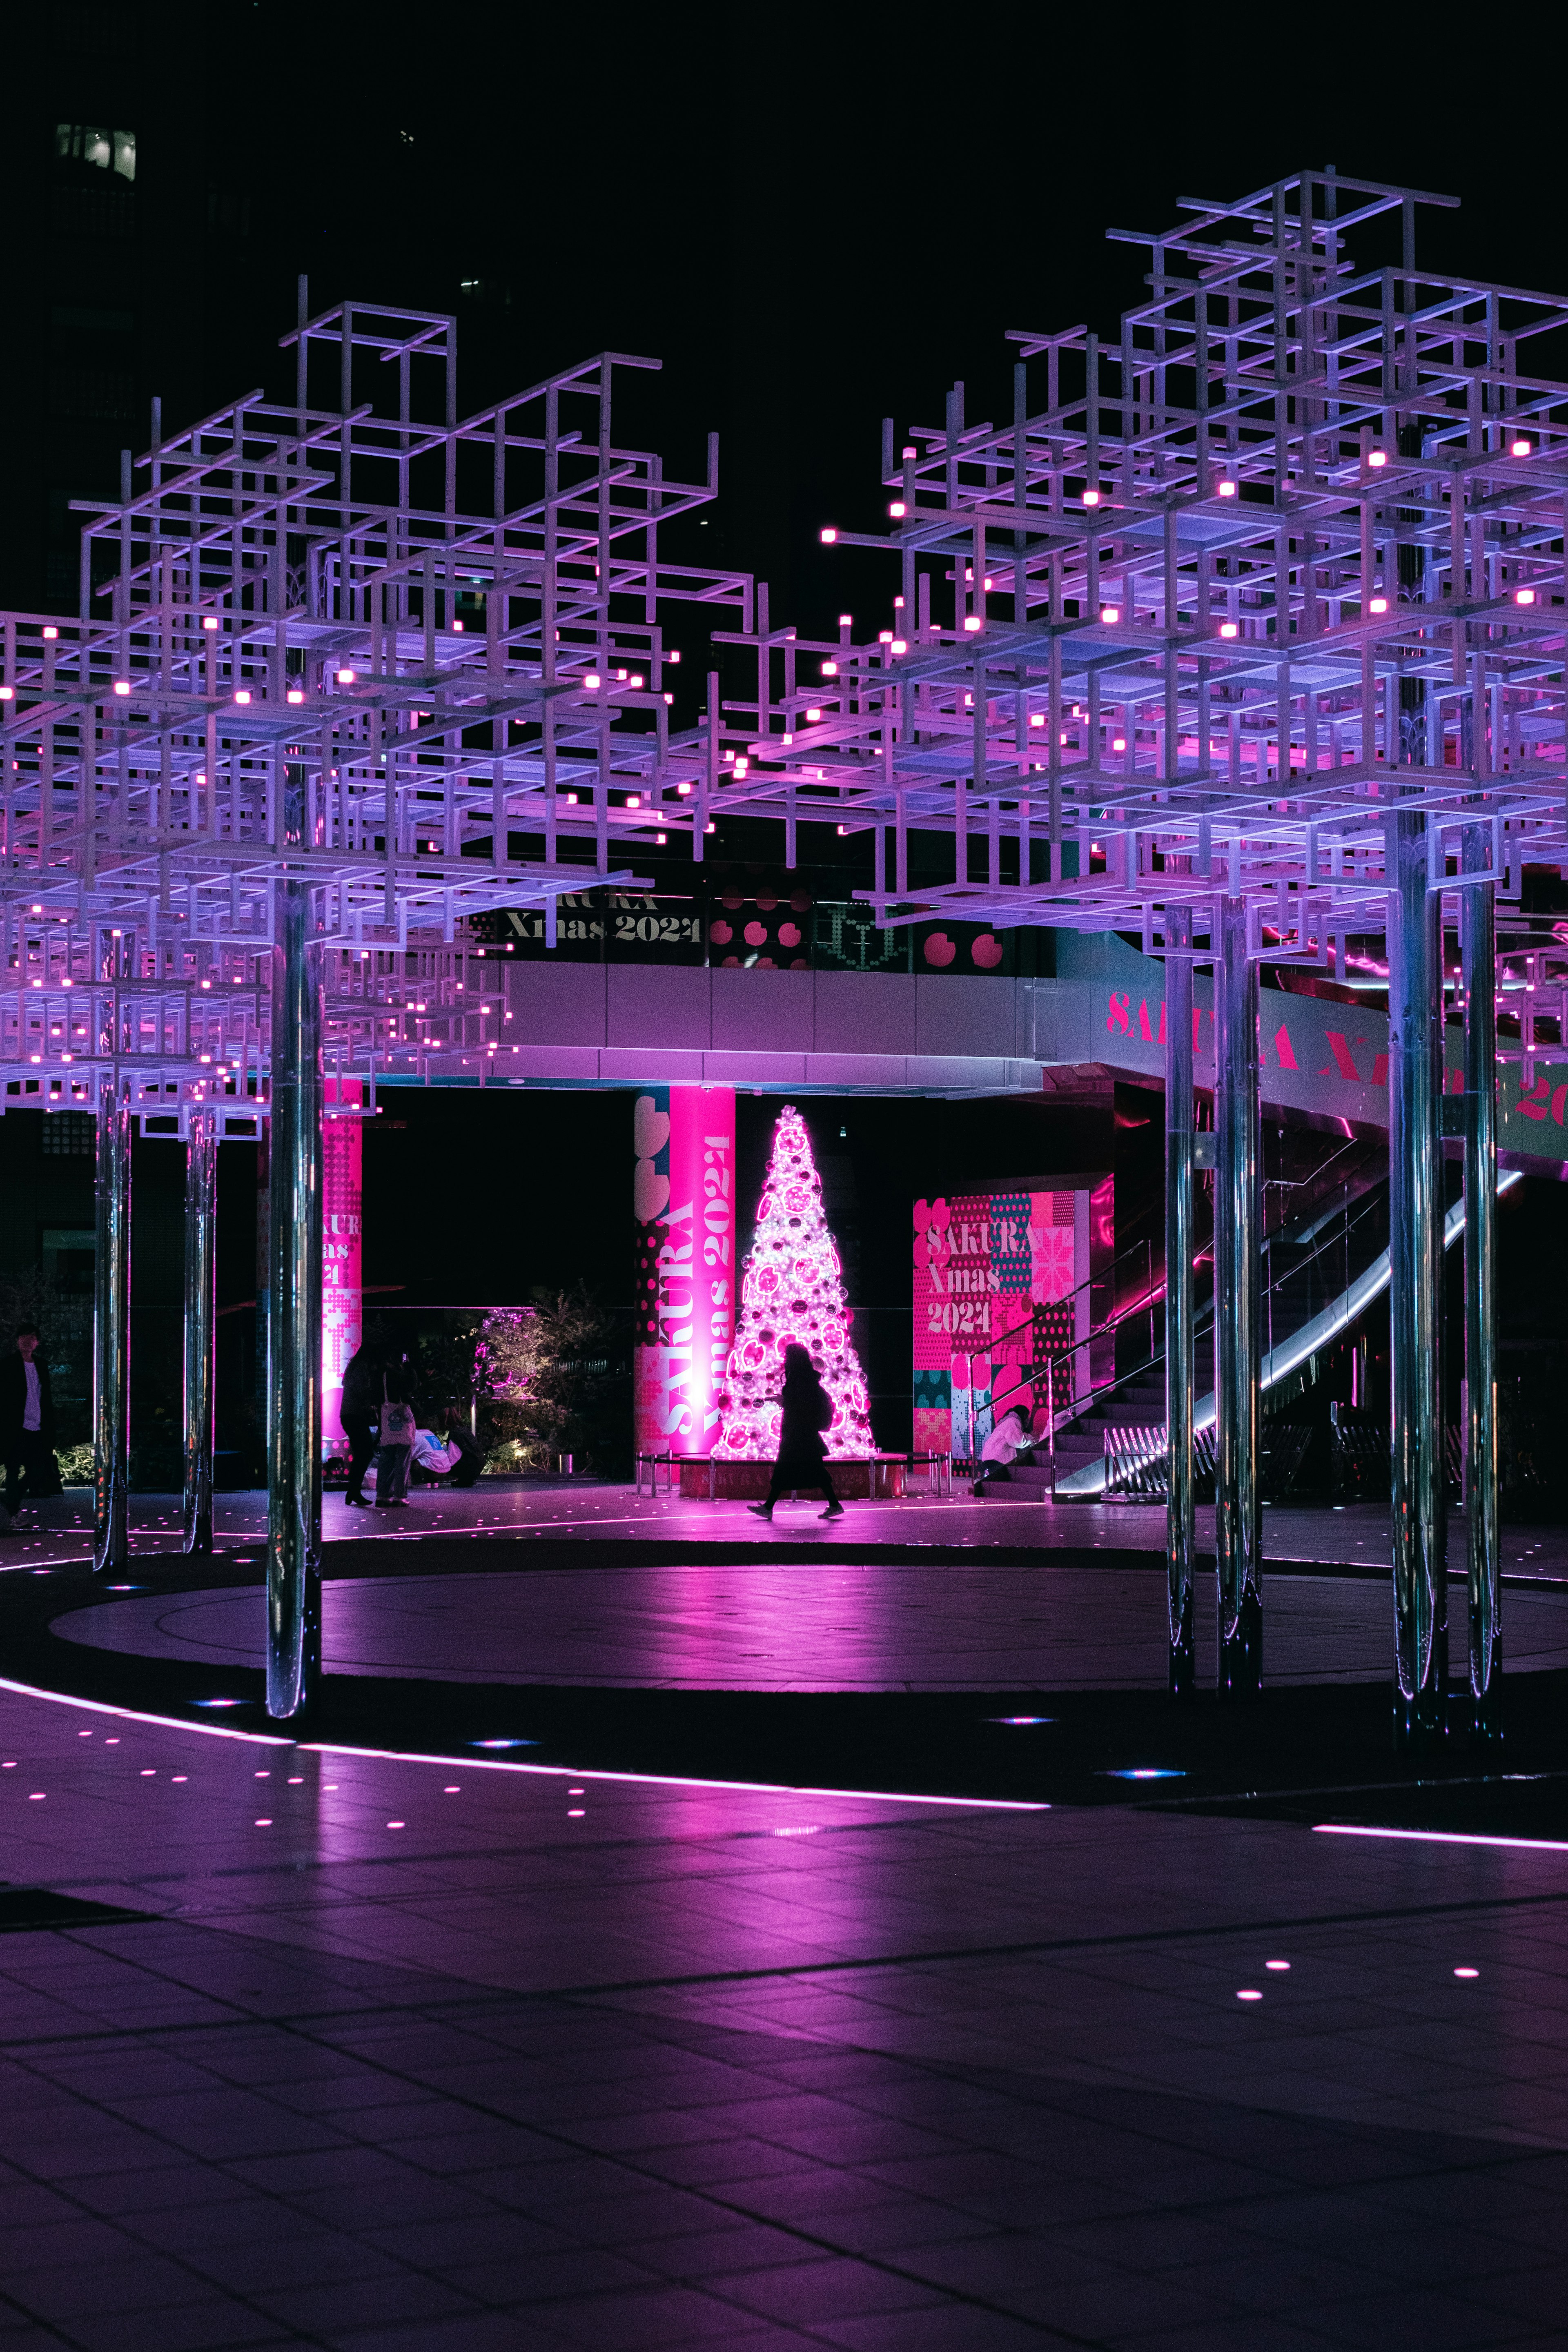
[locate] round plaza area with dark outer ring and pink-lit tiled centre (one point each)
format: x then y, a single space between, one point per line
977 1678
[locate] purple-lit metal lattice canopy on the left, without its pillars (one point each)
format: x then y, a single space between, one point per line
302 657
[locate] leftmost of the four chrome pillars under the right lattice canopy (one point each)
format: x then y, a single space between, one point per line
1179 1295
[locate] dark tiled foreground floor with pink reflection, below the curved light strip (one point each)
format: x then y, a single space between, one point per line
453 2059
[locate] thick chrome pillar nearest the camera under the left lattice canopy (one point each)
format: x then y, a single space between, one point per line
295 1314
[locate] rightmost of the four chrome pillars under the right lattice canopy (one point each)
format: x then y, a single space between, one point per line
1480 961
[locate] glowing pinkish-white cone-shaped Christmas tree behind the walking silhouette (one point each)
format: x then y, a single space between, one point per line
793 1290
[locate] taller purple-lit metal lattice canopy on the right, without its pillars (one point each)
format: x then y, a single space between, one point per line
1296 530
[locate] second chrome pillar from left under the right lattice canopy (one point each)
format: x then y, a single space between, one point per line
1238 1525
